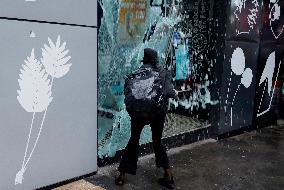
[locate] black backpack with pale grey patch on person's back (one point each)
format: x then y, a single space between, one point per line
144 91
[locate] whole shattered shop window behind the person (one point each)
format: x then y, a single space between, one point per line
180 32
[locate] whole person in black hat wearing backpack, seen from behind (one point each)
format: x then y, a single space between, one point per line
155 116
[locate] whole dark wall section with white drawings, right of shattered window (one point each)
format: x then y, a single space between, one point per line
252 25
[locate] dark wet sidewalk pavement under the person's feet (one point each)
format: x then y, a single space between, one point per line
250 161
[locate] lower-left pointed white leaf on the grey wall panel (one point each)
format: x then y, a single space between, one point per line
35 88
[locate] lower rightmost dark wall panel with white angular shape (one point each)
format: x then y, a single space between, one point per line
268 83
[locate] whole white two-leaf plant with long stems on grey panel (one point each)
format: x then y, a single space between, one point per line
36 80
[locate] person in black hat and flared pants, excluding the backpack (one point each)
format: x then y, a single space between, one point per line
156 120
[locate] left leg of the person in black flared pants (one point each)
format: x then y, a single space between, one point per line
129 160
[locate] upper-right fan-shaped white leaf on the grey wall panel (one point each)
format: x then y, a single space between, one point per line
54 58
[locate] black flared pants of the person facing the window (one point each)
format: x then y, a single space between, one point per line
129 160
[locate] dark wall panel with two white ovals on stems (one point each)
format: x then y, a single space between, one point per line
238 85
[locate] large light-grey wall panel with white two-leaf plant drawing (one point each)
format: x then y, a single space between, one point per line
48 103
